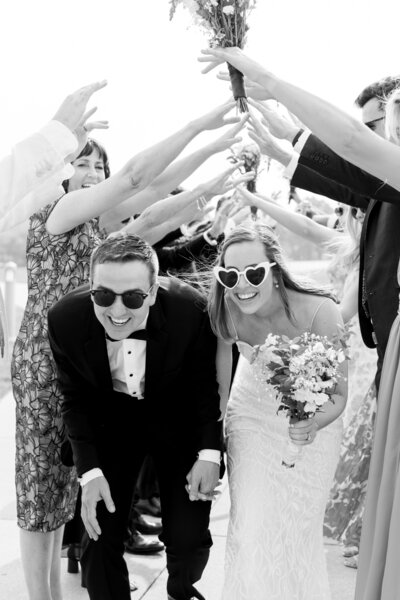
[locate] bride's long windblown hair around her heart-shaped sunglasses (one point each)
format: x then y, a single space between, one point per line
257 231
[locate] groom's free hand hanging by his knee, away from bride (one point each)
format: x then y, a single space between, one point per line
93 491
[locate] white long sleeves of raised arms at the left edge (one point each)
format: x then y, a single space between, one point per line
31 176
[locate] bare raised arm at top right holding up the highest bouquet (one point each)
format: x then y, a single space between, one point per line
340 131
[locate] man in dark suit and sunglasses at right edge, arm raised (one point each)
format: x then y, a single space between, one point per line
318 169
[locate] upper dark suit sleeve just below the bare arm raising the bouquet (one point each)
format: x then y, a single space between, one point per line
318 157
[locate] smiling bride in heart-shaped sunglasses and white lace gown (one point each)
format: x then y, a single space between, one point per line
275 544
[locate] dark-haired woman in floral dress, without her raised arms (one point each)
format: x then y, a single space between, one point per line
46 489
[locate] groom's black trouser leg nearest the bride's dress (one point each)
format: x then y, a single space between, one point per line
185 524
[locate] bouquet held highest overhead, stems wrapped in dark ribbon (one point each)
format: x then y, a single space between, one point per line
225 22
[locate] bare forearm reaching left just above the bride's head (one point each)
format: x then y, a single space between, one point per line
295 222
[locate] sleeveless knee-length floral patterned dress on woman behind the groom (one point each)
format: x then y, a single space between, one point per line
56 264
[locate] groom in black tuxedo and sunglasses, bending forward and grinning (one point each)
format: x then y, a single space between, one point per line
136 362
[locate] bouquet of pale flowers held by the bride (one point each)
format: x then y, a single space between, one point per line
304 372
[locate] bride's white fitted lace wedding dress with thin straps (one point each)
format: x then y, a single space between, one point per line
275 545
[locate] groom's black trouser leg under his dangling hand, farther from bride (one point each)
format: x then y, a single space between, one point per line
103 565
